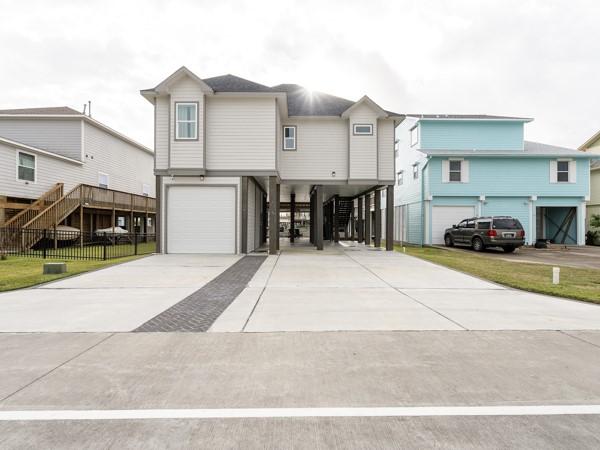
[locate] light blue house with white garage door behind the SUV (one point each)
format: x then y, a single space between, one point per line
452 167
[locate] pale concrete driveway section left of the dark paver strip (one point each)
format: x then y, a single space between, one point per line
118 298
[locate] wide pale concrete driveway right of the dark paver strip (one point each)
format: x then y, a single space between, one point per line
351 287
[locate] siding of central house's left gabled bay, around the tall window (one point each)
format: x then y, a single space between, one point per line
187 153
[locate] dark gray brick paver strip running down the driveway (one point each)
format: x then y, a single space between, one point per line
198 311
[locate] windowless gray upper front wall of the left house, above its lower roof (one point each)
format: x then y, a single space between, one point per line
60 136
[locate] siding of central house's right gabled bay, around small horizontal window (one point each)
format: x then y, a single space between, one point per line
363 148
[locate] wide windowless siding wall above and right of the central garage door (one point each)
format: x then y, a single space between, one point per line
240 133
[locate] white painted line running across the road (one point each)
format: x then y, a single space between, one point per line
244 413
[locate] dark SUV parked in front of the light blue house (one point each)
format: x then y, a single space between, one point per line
481 232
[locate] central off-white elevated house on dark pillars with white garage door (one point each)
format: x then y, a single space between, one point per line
231 154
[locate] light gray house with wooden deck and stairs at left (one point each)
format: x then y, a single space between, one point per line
45 153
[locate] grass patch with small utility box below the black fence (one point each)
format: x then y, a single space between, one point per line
18 272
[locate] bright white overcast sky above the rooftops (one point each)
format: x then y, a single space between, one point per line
536 59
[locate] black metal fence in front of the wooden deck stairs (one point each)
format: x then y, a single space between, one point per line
74 244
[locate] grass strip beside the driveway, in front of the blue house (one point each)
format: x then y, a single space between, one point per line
576 283
